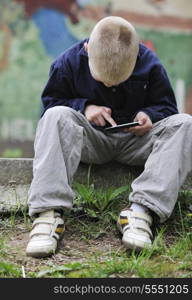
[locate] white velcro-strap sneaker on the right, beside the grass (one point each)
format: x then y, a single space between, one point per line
135 227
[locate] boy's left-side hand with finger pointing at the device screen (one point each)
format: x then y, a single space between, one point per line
99 115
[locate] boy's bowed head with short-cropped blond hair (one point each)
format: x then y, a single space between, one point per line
112 50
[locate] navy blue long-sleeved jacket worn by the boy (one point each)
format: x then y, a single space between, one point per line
148 89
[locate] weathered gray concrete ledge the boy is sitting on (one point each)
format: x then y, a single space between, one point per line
16 176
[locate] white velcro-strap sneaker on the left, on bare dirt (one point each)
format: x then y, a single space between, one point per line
47 229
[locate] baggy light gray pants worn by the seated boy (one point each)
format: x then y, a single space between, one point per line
64 138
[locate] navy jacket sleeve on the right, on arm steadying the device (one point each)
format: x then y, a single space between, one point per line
160 100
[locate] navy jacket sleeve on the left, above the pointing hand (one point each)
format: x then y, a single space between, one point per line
60 89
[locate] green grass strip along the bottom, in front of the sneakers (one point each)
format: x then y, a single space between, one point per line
147 264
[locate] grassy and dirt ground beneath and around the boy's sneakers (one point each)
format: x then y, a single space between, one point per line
93 245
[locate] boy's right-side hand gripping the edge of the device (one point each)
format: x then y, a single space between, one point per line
145 124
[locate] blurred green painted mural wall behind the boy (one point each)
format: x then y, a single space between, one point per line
34 32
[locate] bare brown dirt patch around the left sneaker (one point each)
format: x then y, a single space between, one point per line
73 248
